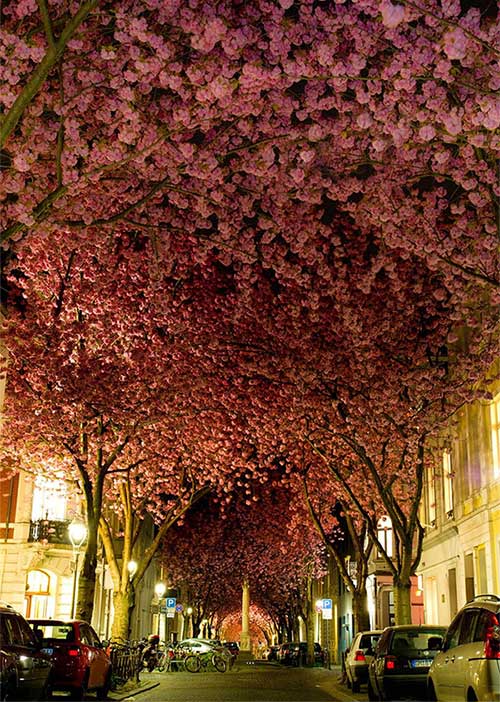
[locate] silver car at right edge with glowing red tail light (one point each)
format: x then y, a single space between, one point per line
468 665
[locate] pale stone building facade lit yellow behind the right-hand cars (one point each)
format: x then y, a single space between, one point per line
461 513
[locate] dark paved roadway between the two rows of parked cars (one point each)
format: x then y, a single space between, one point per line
250 682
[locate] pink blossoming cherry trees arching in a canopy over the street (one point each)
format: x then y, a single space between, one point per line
245 244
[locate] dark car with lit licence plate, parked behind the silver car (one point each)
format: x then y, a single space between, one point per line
401 661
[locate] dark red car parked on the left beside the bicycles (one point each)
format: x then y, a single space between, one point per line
79 661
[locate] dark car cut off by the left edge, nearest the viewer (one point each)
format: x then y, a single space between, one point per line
24 668
